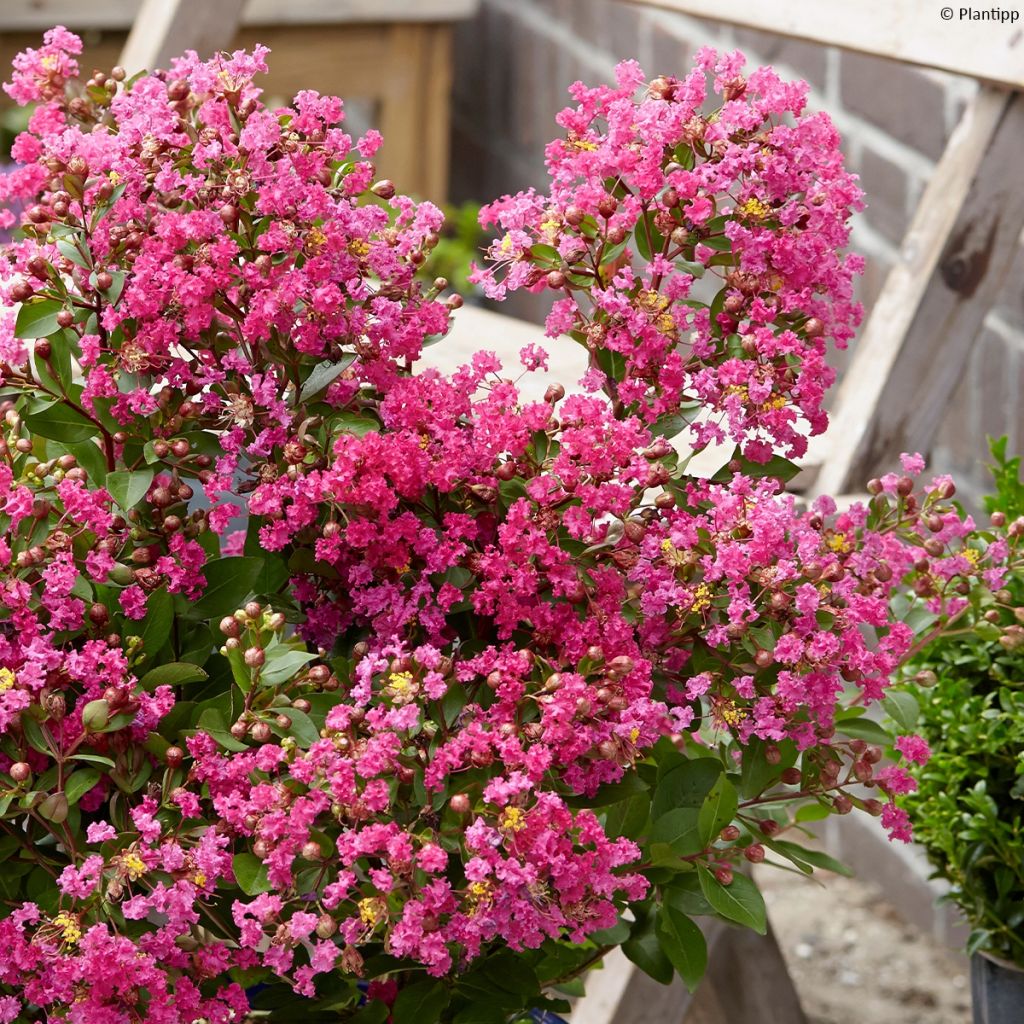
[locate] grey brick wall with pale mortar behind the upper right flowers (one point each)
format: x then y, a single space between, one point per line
516 60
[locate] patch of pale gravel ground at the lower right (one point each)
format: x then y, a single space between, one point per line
855 960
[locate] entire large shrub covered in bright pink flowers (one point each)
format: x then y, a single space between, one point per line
321 674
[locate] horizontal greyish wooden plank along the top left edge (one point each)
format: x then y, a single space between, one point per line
39 15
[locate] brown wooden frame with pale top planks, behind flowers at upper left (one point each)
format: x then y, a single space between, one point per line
397 55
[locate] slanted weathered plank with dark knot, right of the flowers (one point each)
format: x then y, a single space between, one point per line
953 264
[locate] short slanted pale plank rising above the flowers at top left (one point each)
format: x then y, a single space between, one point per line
165 29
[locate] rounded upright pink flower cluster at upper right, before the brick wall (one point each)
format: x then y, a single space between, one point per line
740 217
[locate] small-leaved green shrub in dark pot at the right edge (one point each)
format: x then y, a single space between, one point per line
965 698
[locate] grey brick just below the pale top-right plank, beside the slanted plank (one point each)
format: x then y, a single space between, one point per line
905 103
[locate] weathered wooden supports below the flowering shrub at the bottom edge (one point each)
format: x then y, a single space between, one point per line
747 980
